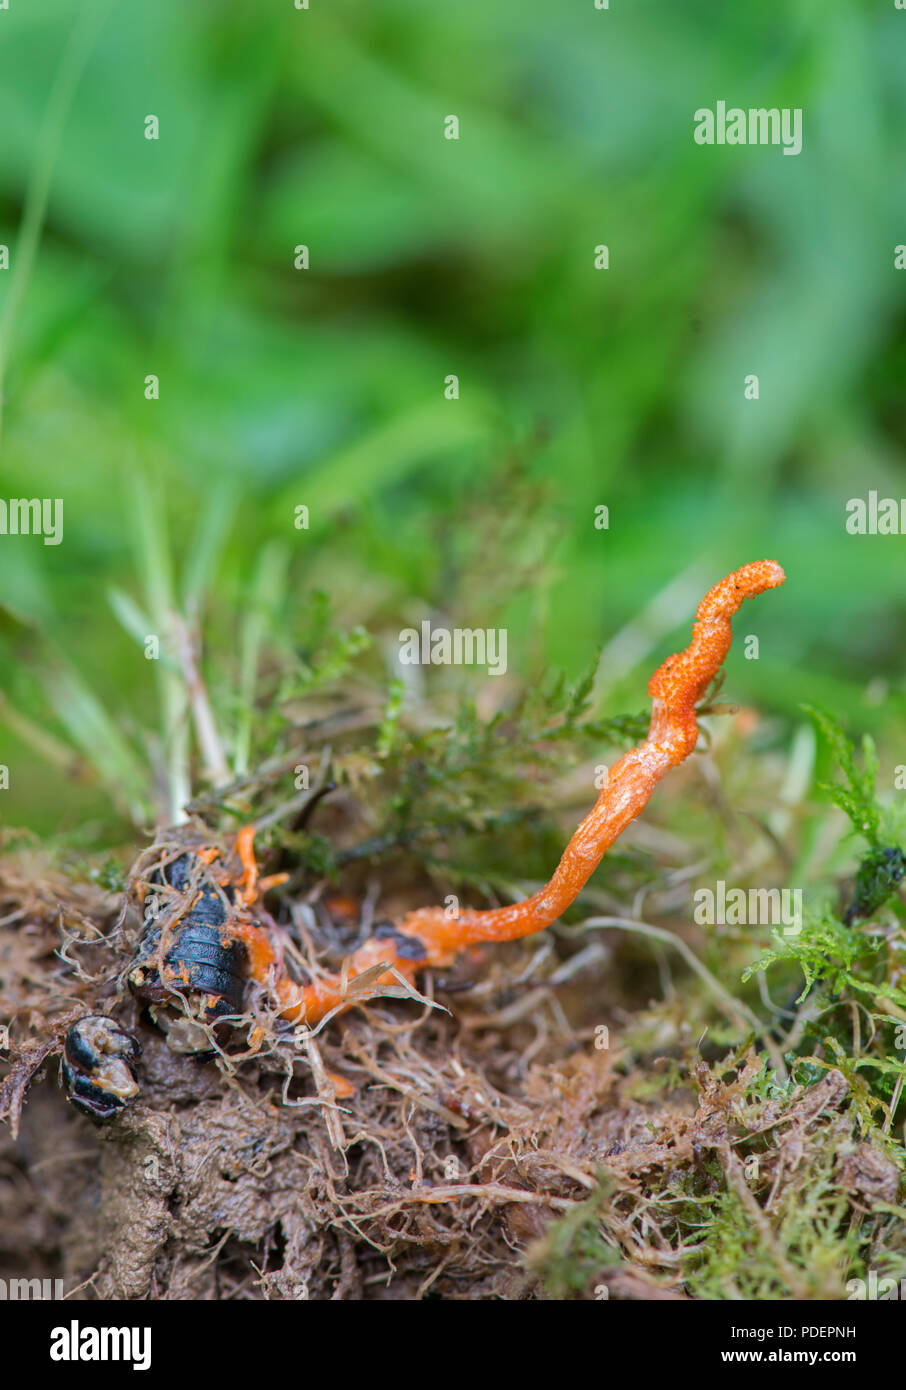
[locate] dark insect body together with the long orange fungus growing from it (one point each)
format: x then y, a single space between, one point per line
204 939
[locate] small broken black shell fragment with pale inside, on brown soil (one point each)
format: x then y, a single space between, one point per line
99 1067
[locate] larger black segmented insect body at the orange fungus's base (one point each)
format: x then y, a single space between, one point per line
202 960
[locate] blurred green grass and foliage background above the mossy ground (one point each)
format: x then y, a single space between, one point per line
430 258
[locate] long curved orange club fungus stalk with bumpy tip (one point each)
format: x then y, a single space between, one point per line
675 689
